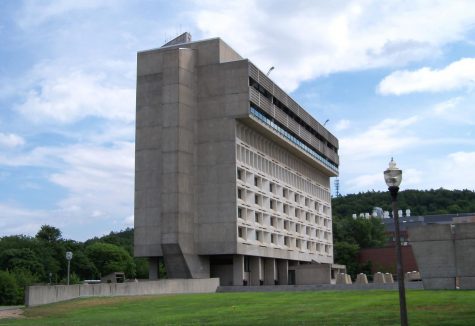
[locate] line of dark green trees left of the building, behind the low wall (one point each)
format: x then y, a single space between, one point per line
28 260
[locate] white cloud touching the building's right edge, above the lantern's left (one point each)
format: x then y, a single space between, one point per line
387 138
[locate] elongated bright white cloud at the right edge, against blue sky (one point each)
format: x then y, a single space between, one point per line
457 75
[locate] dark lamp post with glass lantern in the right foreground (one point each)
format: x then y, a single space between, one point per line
393 177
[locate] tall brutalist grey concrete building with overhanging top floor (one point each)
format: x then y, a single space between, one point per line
232 176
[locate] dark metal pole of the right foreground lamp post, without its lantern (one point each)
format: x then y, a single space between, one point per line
400 274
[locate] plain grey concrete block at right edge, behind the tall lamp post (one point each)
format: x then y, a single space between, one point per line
445 255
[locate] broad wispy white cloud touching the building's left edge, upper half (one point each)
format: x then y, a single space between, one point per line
74 95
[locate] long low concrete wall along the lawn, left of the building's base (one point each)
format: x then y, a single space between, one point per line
40 295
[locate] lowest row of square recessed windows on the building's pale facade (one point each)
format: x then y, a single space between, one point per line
252 236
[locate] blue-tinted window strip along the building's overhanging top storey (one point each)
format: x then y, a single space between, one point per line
261 116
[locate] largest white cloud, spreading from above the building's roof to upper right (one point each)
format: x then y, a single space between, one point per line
326 37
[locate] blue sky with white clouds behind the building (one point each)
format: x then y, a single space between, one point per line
394 79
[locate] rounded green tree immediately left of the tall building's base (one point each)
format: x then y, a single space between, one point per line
109 258
